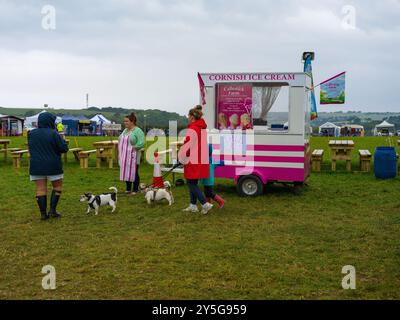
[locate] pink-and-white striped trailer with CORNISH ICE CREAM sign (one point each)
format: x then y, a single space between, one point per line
255 152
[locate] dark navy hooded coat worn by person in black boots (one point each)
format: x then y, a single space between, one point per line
45 147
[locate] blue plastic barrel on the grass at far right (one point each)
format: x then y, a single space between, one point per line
385 163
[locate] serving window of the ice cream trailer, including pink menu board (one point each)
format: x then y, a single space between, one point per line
245 106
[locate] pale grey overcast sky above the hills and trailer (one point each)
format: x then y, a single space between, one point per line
146 53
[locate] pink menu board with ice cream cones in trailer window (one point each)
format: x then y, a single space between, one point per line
234 103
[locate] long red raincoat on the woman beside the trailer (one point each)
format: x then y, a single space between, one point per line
194 153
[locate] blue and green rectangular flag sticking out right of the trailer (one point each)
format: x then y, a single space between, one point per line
333 90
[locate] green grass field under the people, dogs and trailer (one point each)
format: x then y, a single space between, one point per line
286 244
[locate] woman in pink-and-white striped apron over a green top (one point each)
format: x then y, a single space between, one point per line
130 142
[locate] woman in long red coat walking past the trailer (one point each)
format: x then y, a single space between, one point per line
194 155
